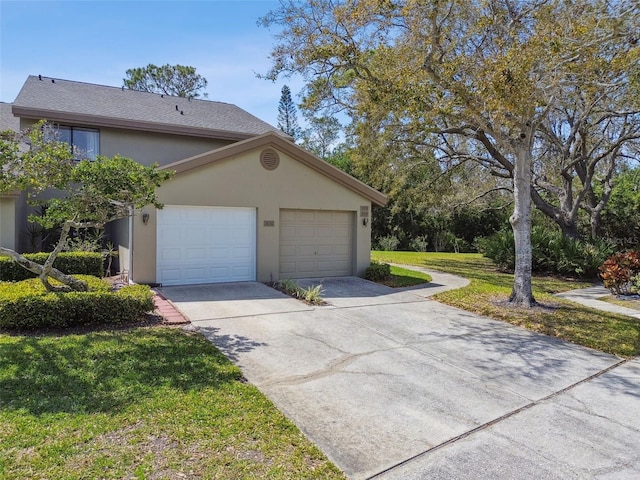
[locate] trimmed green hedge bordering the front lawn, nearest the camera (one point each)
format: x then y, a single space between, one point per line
27 305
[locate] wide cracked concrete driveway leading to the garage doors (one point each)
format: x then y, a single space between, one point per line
392 385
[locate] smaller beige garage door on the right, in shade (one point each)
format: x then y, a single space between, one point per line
315 243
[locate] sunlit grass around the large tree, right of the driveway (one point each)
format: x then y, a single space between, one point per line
489 290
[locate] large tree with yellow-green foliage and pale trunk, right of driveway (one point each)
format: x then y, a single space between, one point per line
539 95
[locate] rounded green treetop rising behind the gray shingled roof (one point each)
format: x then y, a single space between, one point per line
177 80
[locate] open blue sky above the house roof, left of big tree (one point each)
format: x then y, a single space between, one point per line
97 41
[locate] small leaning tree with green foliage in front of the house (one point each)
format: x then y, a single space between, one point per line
92 192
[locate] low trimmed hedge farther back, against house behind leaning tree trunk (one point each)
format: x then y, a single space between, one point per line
71 263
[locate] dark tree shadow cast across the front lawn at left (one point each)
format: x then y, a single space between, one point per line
106 371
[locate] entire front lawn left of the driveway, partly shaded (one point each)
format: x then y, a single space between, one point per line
140 403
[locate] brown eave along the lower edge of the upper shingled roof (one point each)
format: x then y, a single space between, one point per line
128 124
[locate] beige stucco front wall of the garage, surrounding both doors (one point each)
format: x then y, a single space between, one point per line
241 181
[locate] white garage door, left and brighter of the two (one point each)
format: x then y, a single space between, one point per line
206 245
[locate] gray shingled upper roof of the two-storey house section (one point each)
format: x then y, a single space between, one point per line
64 100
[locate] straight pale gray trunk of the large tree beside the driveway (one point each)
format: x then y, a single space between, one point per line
522 293
